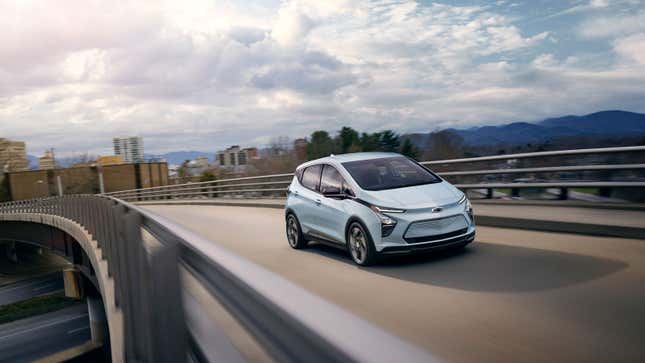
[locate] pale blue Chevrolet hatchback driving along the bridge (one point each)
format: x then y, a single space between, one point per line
375 204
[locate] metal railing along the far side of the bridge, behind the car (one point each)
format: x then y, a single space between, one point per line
276 184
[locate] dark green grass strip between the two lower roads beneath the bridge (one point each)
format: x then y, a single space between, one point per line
35 306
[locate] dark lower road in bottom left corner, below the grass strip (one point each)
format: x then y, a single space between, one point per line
40 336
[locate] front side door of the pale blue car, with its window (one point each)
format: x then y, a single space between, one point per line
332 211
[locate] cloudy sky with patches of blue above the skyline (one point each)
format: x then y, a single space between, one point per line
202 75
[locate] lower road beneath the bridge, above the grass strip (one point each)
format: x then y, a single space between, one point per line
31 288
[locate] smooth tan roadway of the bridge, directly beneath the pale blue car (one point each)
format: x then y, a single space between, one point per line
511 296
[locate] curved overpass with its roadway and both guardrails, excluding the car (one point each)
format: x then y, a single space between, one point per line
232 290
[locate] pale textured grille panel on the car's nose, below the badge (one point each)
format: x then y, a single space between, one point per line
436 229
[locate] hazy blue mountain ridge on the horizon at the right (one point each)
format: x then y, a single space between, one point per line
600 124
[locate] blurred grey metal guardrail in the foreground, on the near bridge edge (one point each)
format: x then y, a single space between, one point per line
288 323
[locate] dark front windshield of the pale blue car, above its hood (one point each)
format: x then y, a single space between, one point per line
389 173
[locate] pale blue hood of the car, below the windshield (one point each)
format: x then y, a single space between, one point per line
419 196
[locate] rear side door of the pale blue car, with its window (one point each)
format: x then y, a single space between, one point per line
309 198
